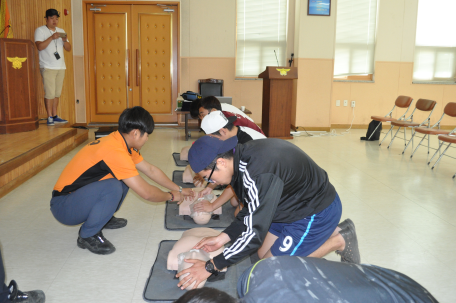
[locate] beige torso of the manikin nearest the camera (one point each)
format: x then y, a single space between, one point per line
187 241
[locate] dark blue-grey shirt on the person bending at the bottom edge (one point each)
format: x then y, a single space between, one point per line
298 279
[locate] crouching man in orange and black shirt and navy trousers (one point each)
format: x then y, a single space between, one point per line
95 182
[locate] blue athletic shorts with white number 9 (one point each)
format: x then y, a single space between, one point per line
303 237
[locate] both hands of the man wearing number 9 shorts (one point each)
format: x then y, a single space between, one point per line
197 272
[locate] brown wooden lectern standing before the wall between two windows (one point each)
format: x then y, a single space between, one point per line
277 95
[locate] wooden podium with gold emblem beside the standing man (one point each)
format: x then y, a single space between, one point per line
18 104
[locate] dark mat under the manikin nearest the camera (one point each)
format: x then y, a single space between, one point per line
161 286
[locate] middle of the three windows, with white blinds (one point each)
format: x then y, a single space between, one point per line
355 37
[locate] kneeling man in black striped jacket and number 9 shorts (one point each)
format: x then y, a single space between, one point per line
291 207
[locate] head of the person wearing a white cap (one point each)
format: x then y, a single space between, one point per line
217 125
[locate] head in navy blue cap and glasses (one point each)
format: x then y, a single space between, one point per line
213 158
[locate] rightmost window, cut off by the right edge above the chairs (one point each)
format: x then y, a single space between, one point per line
435 46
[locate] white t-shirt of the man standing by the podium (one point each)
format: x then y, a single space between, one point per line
47 57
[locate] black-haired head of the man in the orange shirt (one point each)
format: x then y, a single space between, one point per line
135 125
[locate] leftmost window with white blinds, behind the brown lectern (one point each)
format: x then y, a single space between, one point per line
261 29
